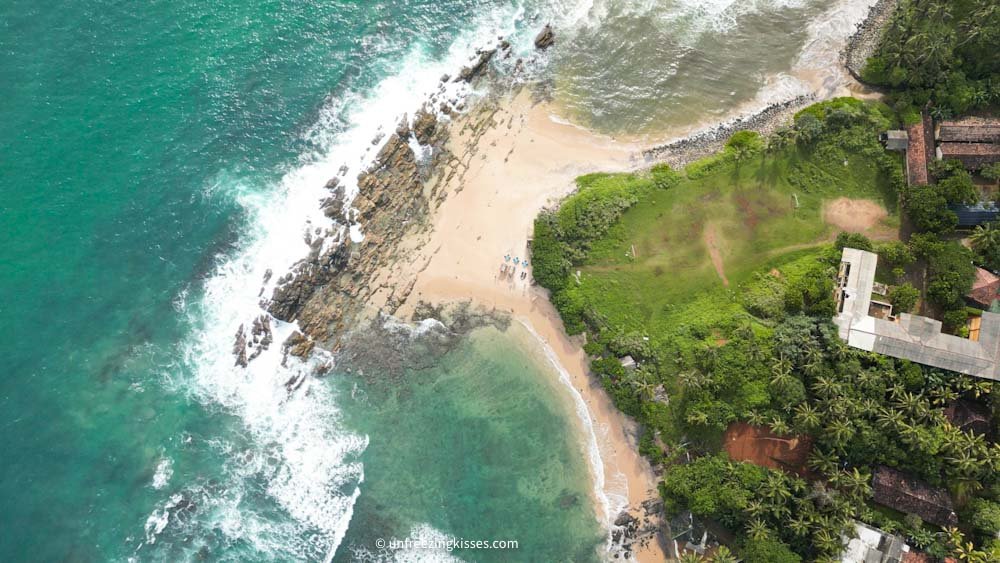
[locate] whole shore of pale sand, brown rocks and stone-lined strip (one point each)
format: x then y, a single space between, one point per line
439 220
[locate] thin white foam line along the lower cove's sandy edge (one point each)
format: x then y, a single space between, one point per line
611 503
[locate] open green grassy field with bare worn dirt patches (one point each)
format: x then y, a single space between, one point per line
654 270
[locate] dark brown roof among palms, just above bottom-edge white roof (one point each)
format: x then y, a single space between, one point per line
913 496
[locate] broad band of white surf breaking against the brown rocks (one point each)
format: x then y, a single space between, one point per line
310 467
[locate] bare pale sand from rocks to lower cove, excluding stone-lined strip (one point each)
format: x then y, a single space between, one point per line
522 164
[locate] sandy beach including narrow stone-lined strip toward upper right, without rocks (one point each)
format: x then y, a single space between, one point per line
514 158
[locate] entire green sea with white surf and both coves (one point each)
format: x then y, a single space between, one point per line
158 158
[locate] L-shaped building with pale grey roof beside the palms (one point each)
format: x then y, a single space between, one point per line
870 324
